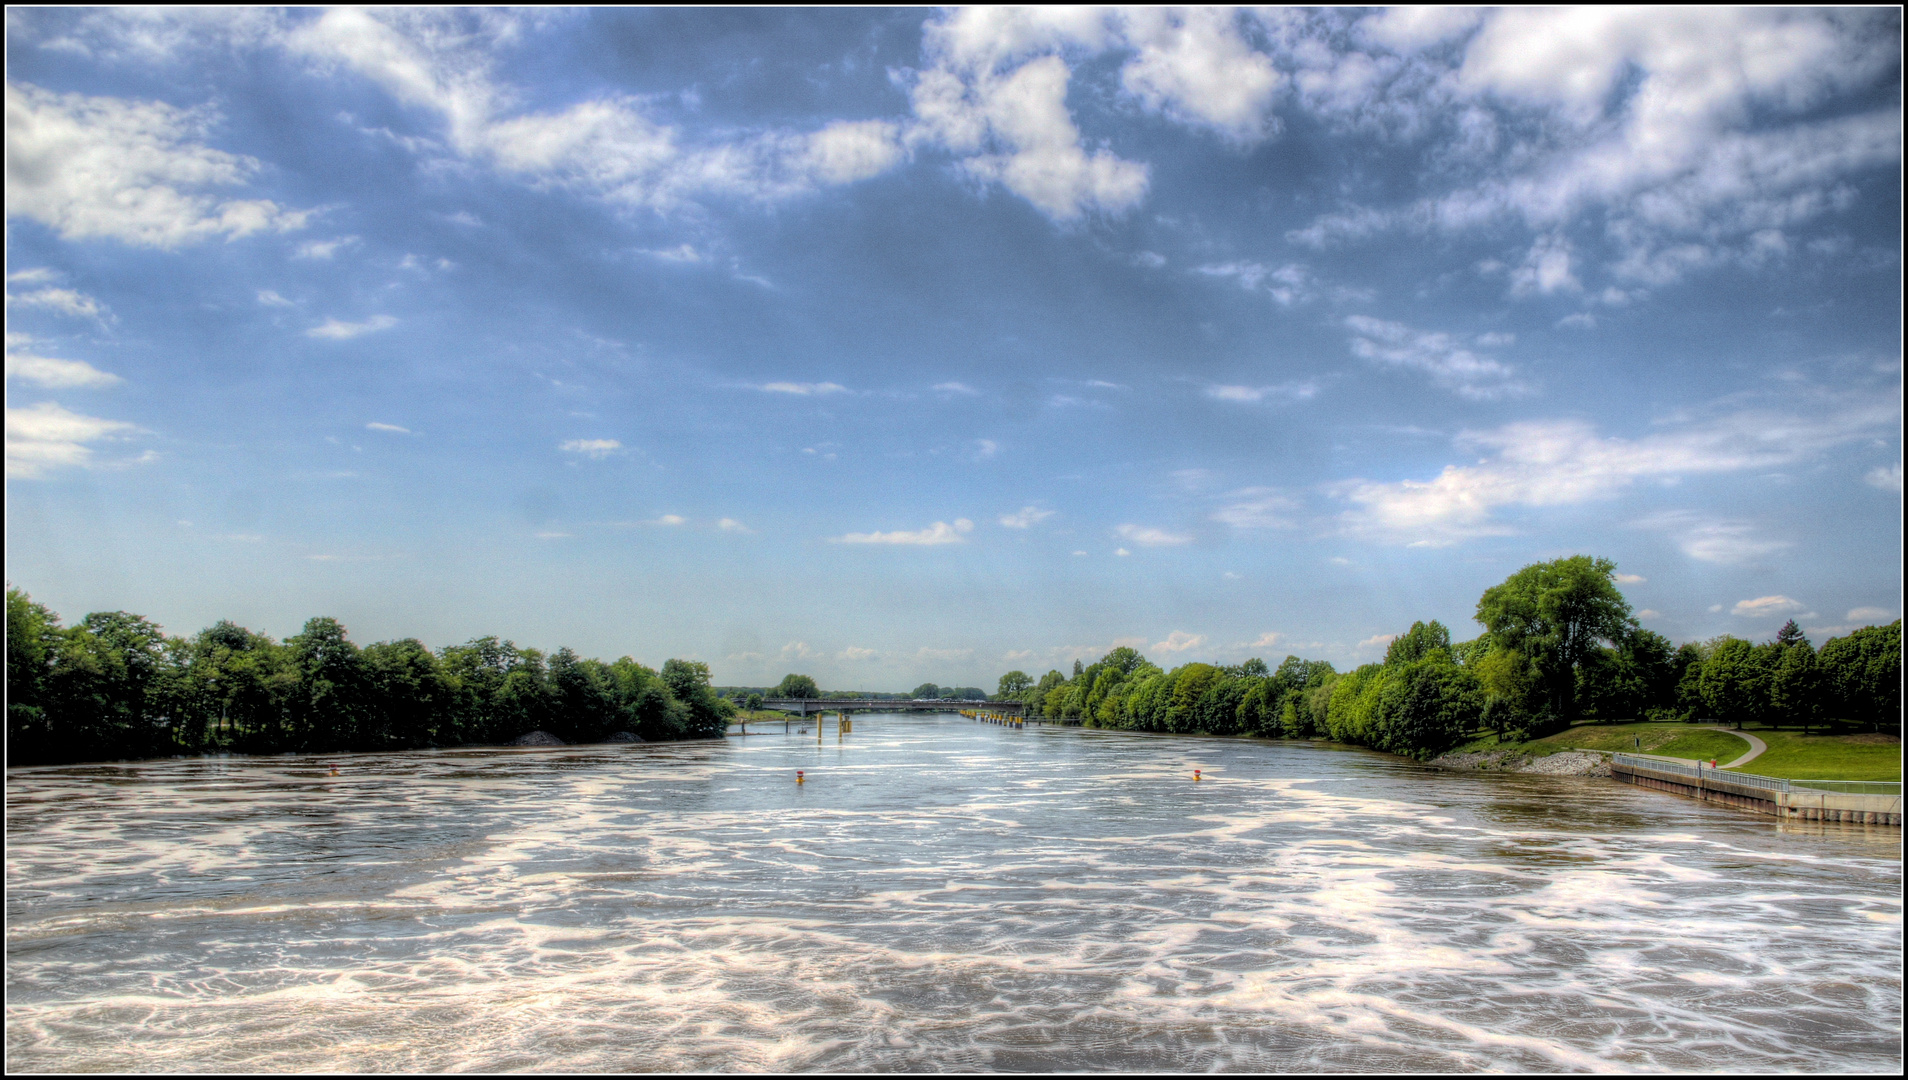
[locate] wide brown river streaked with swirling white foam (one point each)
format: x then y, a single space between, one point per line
940 894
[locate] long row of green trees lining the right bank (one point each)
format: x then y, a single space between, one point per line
1560 648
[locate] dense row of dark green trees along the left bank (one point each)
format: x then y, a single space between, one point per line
115 686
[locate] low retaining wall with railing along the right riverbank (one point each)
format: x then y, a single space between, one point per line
1867 802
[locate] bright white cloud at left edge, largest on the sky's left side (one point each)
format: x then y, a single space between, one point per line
125 171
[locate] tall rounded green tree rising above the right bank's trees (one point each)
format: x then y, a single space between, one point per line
1558 613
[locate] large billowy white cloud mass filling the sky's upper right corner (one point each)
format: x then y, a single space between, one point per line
1688 129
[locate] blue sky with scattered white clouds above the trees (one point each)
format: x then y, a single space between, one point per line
900 346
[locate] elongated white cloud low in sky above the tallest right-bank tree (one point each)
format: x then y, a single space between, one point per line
1566 463
